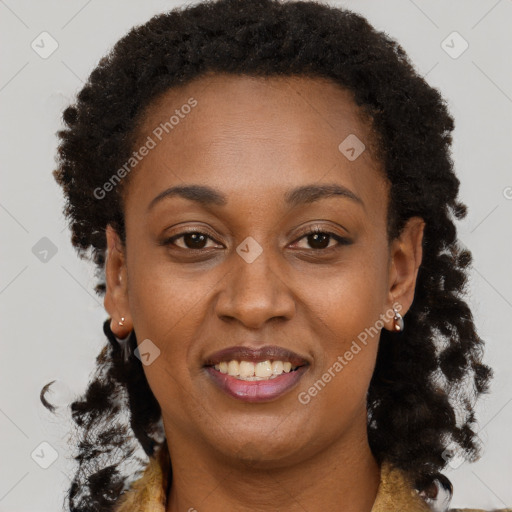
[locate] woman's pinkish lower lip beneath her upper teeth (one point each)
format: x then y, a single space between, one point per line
256 390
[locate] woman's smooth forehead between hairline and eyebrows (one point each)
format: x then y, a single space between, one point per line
256 134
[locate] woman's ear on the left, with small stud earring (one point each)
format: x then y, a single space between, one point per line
116 295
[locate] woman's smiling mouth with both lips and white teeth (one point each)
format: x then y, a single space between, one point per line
256 375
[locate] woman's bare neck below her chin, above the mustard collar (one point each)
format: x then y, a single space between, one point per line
343 476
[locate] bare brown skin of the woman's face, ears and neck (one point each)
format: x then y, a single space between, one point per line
253 139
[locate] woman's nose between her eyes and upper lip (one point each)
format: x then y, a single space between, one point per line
254 293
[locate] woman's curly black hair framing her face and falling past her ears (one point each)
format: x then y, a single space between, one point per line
426 380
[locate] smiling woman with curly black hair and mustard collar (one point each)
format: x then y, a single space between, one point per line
267 191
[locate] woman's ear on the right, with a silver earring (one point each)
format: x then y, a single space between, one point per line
406 253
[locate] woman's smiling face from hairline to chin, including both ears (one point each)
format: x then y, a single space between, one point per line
251 275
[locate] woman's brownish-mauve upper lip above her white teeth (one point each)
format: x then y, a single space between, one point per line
255 355
